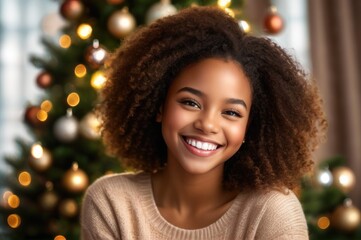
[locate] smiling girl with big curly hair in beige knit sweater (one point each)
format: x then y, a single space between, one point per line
221 127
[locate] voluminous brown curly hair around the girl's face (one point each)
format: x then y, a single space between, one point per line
286 121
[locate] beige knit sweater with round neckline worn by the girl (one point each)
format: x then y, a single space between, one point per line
122 207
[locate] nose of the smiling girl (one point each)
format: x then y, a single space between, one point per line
208 123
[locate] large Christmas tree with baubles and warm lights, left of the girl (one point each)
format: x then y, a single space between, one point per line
49 175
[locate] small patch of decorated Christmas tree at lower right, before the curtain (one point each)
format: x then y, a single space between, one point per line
329 211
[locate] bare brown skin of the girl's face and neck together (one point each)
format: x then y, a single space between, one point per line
189 192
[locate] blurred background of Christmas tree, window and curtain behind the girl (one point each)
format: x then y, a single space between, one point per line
52 53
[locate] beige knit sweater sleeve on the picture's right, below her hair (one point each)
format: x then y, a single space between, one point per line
283 219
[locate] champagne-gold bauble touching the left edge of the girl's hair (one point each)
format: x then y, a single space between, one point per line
90 126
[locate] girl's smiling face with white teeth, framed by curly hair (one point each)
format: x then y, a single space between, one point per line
205 115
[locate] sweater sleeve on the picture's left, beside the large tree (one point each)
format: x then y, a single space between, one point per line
96 216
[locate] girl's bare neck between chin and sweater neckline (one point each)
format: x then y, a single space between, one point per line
189 192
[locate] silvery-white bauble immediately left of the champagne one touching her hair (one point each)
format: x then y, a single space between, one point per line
66 128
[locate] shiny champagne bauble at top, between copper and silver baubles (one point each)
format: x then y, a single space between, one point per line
121 23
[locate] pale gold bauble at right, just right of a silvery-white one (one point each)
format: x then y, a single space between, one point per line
343 178
